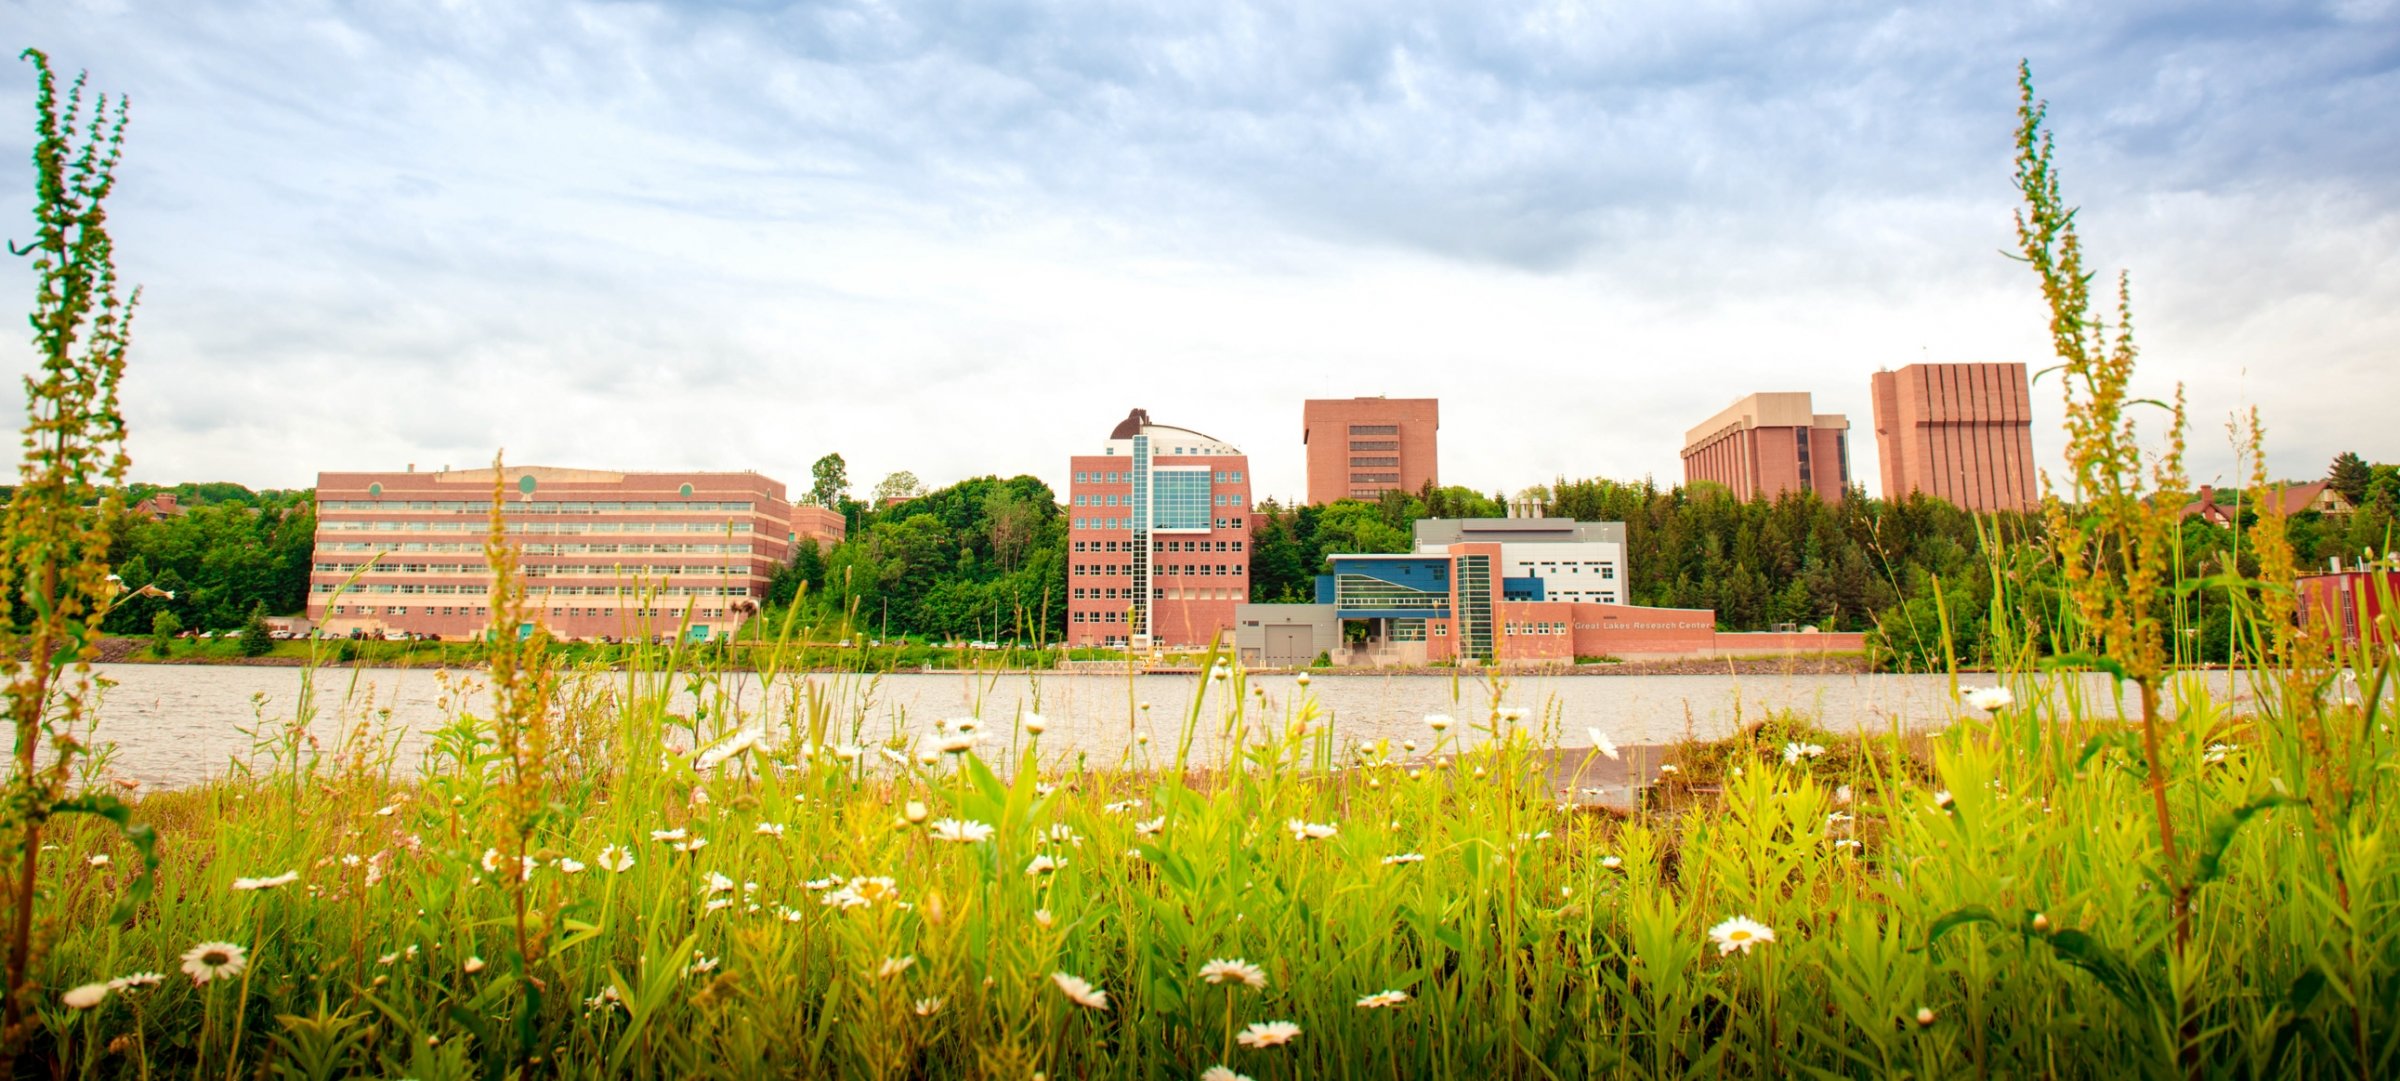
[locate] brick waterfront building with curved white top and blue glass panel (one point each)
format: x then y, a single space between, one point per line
1158 537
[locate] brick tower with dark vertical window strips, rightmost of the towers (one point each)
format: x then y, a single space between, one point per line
1960 434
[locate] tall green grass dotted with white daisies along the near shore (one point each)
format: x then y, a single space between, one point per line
644 873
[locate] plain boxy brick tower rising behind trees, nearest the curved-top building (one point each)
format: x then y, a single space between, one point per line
1364 448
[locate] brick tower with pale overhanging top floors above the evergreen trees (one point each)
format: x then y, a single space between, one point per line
1768 446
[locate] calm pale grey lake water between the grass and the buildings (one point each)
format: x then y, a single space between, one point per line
184 724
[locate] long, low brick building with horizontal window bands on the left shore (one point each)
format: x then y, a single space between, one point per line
608 556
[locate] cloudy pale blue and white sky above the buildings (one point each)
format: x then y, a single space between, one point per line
968 237
